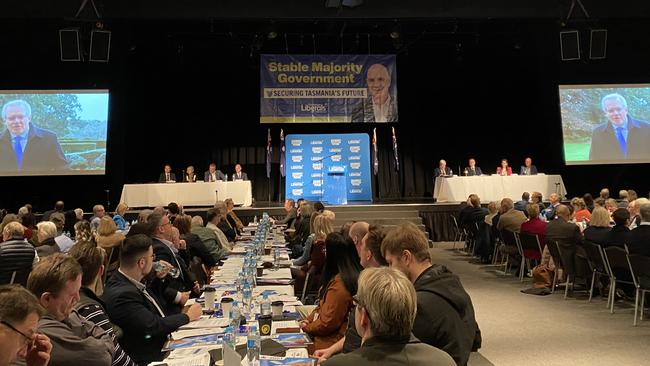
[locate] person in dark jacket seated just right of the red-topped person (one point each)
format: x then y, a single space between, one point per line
568 237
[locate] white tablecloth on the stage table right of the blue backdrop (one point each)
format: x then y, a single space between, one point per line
494 188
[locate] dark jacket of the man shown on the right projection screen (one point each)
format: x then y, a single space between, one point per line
604 145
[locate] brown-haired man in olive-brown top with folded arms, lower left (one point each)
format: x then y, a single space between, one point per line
56 281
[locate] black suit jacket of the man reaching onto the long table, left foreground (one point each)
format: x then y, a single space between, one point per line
144 330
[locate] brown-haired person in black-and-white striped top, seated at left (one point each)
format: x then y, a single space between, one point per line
91 258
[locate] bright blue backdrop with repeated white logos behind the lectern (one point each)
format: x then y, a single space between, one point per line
311 157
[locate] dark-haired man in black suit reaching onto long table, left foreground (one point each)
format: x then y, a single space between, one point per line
131 306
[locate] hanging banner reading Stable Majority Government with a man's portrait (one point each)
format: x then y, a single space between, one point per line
328 88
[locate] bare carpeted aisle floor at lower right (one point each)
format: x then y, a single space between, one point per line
520 329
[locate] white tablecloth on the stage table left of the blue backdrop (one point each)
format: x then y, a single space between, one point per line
187 194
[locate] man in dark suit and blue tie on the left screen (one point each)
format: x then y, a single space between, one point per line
25 148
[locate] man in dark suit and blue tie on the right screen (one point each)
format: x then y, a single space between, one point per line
621 137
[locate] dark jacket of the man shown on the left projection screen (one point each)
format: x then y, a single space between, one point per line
42 154
